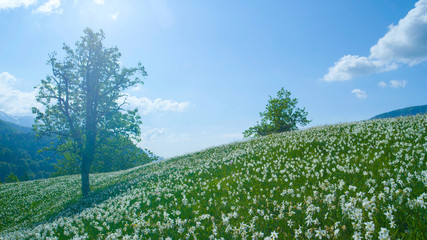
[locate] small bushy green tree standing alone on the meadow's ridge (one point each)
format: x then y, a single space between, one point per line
281 115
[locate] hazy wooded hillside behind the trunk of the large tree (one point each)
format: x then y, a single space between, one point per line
21 158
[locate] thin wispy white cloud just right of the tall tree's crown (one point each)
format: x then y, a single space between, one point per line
147 106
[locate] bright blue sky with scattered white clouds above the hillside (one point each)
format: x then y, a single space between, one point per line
213 64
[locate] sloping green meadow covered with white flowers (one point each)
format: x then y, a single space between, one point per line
363 180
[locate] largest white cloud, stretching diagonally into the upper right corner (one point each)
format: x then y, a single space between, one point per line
405 43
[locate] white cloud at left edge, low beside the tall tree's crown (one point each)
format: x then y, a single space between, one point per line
13 101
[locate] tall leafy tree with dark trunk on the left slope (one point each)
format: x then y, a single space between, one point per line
83 101
